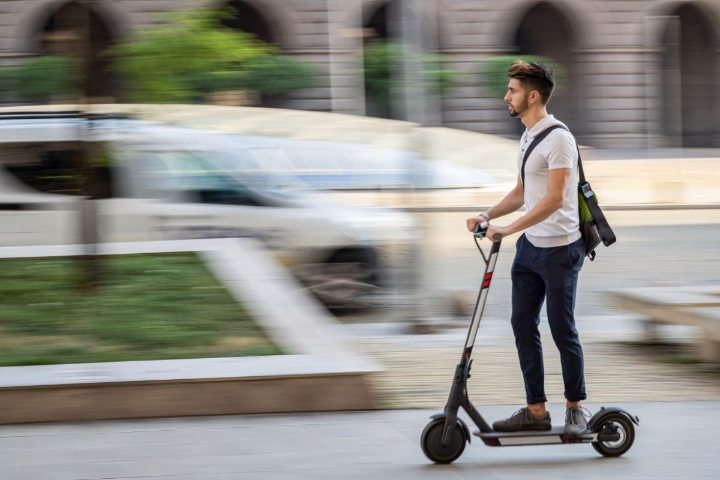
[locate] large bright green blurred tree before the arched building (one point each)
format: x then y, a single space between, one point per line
195 55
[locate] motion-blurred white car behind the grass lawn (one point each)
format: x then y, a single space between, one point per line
167 182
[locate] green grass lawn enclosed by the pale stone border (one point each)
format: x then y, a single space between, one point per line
149 307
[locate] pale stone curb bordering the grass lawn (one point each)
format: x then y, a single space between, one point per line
320 373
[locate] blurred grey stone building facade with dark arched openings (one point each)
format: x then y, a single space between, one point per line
639 73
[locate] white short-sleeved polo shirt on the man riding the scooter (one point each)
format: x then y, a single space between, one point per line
557 150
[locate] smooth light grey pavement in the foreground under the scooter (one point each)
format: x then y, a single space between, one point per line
673 441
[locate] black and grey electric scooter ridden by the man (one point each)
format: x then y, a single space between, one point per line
610 431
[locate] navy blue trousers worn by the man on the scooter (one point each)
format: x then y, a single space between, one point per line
539 275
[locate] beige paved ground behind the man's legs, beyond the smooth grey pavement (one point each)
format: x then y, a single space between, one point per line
418 369
